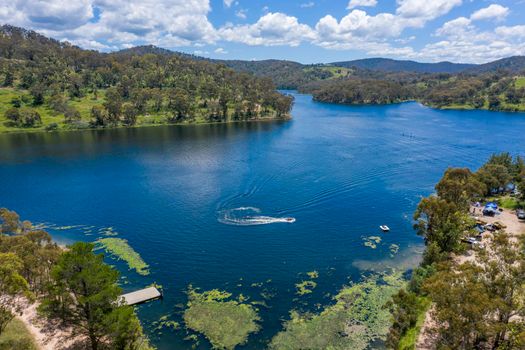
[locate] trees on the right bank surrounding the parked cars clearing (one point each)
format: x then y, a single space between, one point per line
477 304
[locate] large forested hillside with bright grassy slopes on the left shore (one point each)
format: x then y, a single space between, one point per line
51 85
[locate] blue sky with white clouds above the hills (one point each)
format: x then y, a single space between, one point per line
307 31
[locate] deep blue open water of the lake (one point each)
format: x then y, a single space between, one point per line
340 171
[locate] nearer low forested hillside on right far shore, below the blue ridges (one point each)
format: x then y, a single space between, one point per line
501 90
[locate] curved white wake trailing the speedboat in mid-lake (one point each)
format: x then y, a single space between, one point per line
249 216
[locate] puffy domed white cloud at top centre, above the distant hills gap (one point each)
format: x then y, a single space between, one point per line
271 29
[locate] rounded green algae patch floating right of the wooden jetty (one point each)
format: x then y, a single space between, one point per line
224 321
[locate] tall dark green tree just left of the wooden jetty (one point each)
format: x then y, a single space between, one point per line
84 292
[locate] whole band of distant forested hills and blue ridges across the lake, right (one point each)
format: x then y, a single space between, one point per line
498 85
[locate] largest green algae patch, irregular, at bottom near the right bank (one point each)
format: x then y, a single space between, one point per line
356 319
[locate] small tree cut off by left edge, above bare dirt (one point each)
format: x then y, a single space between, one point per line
12 284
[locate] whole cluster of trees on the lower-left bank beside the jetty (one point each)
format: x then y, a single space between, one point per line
73 286
